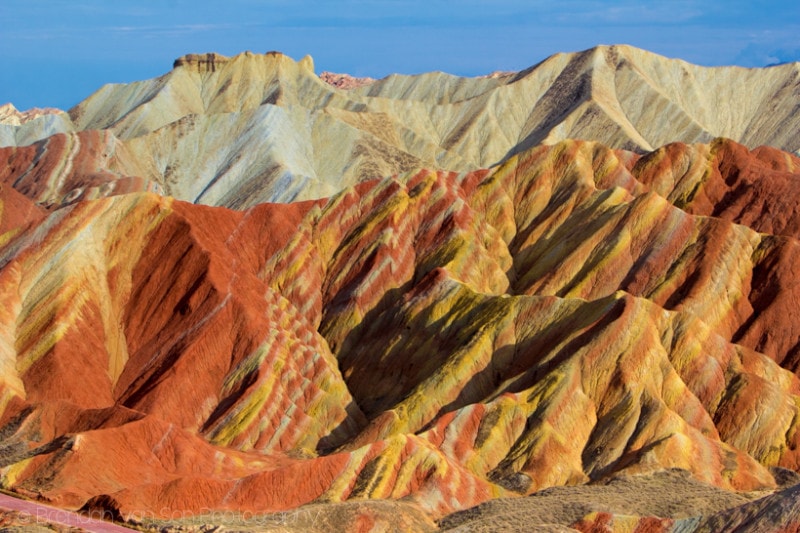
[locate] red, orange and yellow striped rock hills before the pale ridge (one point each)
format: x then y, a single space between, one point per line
444 338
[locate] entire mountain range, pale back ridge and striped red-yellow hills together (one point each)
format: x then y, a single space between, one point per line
559 298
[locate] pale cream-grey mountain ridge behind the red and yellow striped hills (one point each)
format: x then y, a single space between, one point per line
238 131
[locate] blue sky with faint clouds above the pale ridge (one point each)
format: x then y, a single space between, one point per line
57 52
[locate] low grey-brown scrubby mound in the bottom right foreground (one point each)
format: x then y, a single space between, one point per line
666 502
